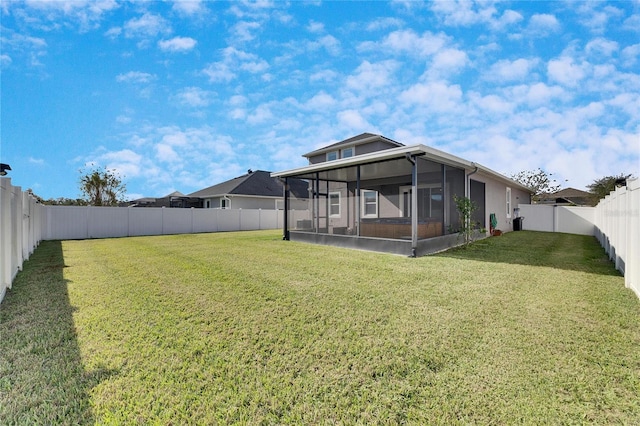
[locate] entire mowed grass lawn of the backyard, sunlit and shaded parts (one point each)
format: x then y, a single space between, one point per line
243 328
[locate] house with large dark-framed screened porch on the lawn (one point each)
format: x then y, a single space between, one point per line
374 193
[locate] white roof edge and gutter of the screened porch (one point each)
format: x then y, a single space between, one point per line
309 172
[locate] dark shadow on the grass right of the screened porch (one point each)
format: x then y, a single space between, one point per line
555 250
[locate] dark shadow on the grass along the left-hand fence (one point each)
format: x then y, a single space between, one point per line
42 378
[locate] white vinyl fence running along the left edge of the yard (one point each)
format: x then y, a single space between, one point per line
20 230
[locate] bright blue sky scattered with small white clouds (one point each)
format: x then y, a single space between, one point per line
184 95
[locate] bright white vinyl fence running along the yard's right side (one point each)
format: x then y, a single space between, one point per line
617 225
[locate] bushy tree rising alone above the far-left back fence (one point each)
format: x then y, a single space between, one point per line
102 187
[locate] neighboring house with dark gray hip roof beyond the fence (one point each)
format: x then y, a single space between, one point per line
254 190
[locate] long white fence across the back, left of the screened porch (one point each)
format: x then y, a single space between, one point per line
76 223
